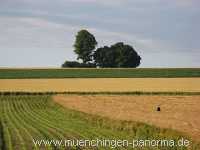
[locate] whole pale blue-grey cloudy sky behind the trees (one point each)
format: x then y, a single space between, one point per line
41 33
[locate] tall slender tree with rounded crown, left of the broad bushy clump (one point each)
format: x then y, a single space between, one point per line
84 45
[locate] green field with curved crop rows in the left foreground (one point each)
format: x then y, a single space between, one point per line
24 118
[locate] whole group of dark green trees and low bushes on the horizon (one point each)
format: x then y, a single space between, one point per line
118 55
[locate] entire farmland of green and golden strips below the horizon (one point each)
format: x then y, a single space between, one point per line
101 104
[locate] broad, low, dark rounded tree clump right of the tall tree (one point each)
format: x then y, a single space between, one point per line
118 55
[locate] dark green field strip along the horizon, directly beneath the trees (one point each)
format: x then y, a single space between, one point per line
98 73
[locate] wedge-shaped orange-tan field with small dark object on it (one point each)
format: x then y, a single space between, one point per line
177 112
